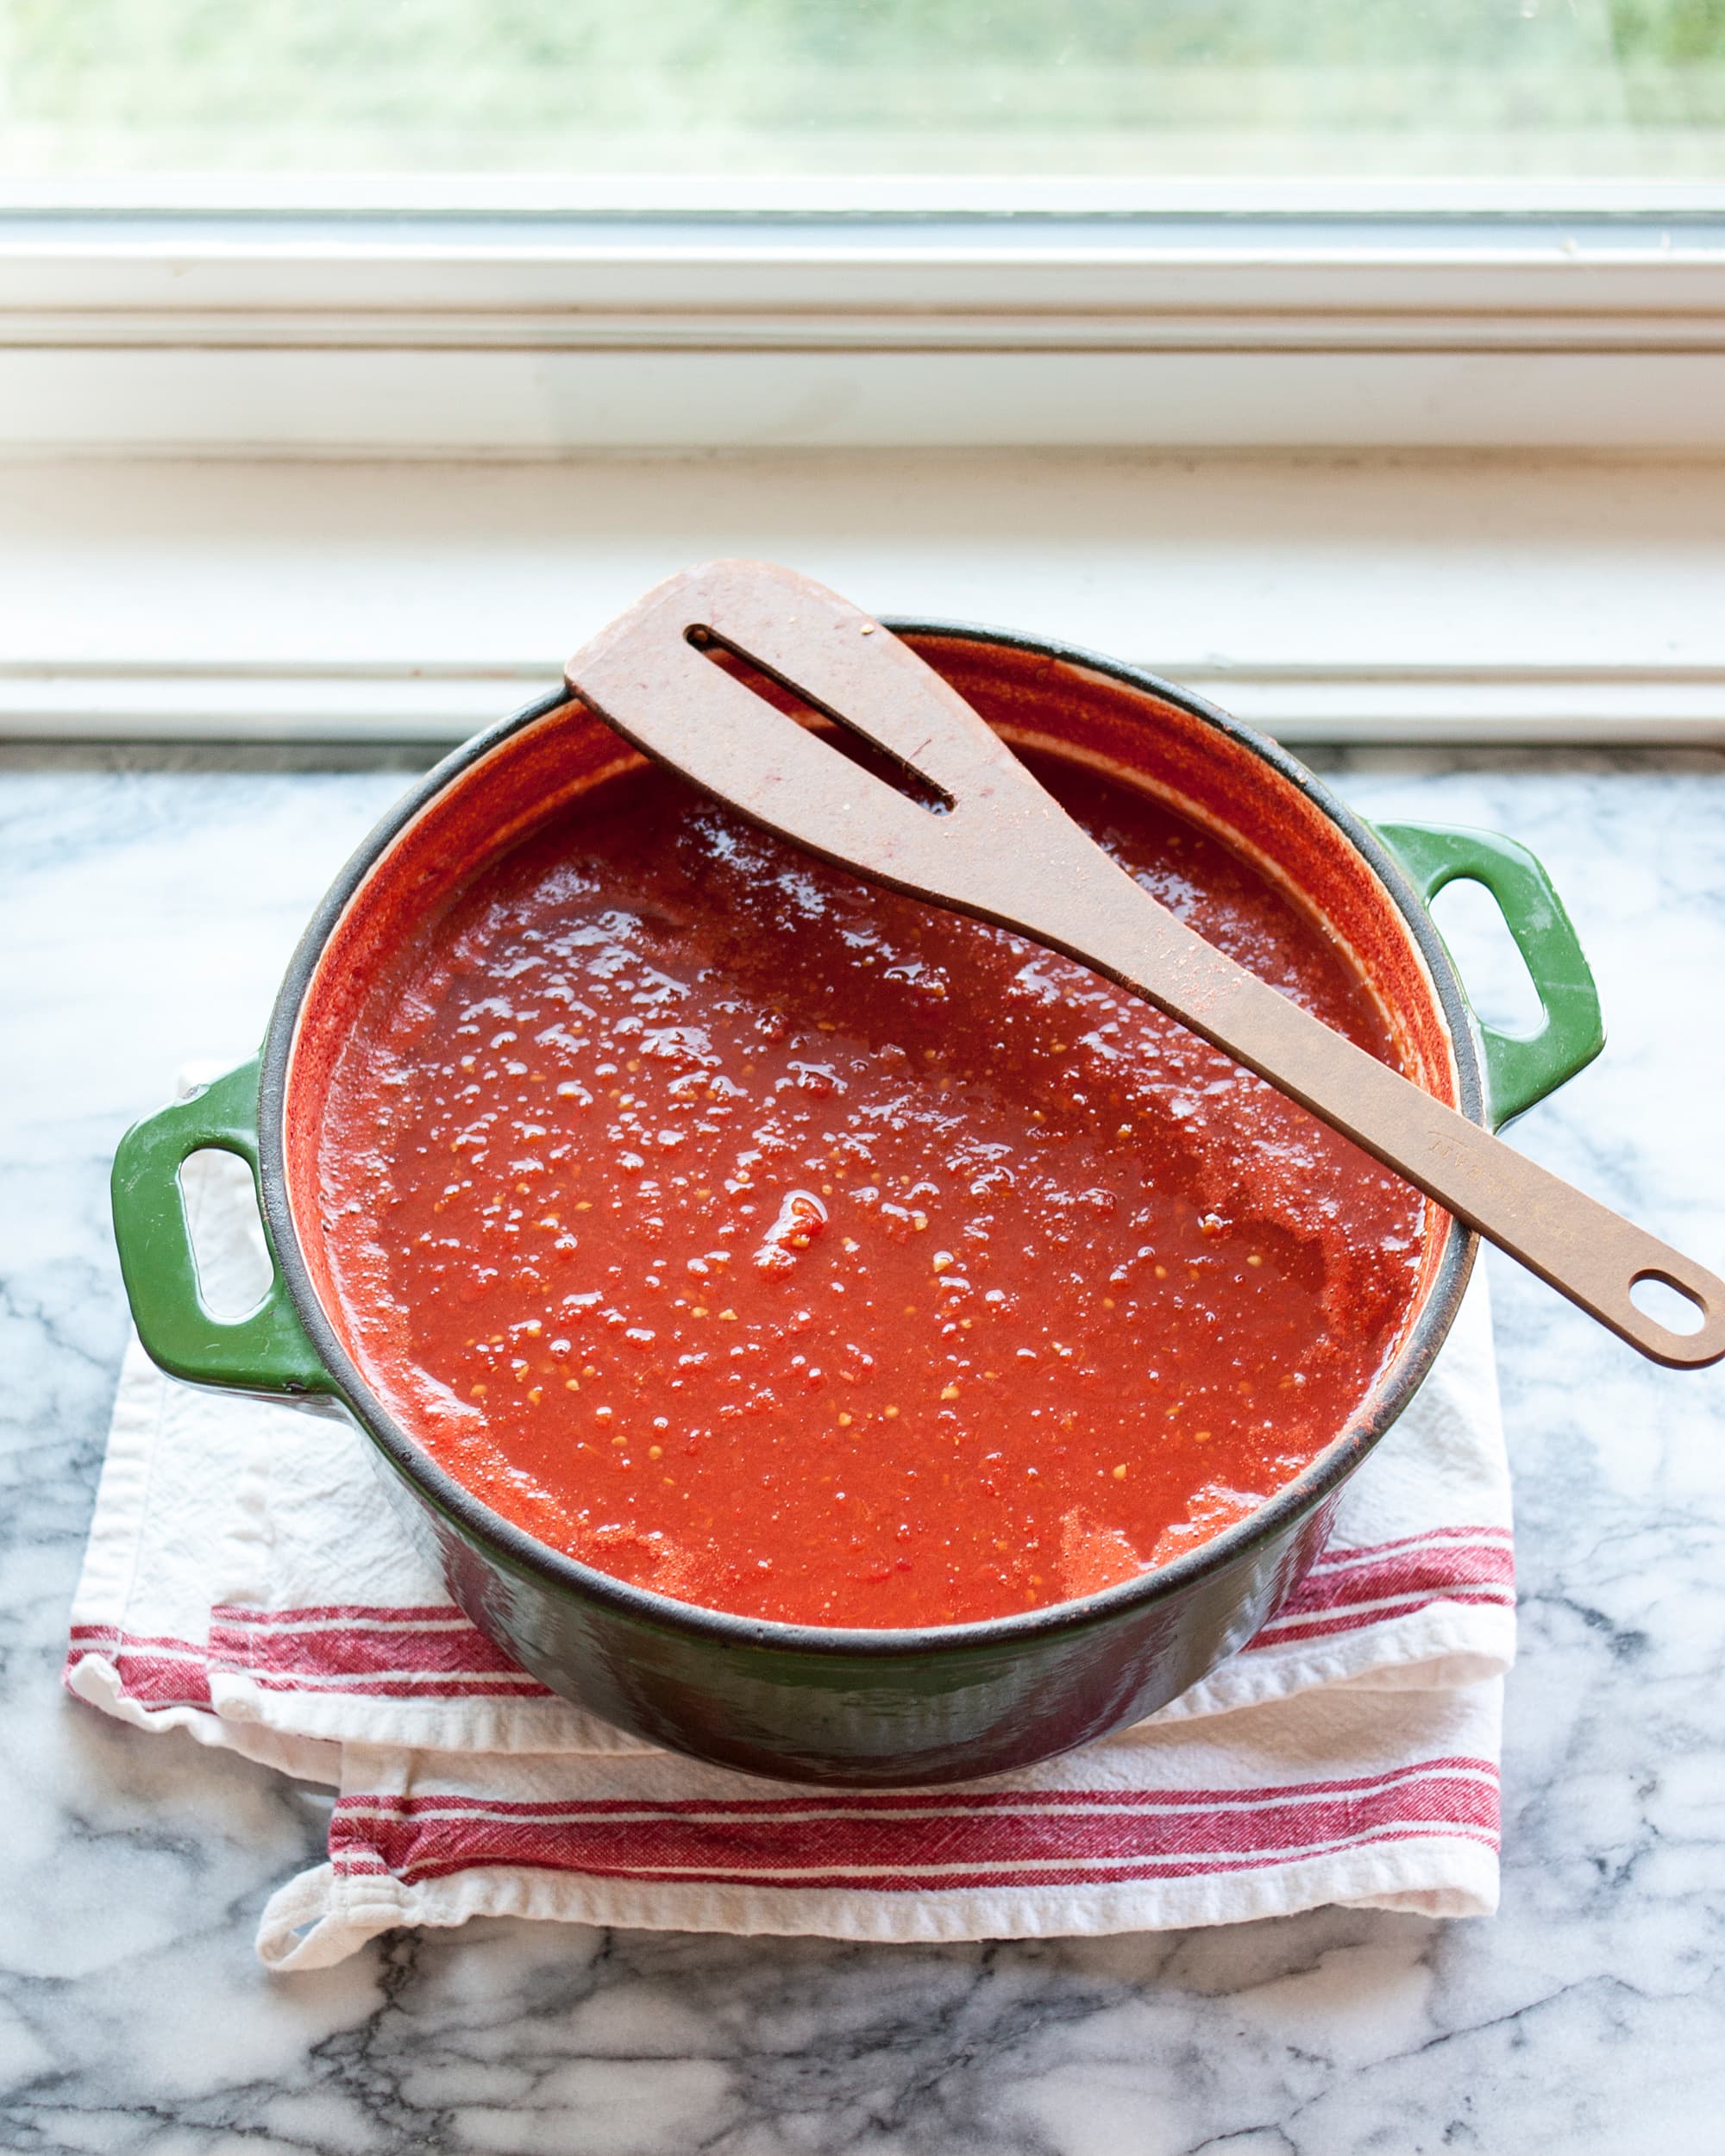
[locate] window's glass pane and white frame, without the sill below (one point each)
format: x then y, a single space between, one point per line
527 225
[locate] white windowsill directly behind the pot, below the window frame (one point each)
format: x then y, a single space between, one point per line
1323 598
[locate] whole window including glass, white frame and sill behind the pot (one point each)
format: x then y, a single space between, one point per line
898 232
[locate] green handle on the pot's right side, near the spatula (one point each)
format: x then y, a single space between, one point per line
1521 1068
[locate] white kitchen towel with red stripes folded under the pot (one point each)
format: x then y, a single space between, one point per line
249 1581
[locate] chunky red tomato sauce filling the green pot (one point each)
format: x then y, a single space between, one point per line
805 1252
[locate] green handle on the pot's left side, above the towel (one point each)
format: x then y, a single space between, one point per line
266 1351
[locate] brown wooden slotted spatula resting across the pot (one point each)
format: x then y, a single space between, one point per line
1008 853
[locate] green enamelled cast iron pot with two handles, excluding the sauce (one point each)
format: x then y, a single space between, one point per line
799 1702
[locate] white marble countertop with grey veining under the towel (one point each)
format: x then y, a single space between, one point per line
148 909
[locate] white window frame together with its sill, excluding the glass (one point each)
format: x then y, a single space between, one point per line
993 346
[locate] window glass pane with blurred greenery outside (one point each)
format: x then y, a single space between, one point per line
864 87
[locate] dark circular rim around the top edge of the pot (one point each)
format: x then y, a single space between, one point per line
525 1556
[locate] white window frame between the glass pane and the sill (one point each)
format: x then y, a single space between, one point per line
521 320
